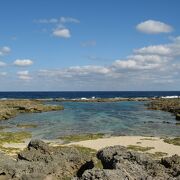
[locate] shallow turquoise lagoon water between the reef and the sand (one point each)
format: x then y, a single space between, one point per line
118 118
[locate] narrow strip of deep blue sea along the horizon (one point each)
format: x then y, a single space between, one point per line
88 94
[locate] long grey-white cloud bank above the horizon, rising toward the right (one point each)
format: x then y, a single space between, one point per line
150 68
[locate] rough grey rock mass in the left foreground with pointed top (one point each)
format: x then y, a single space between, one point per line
39 161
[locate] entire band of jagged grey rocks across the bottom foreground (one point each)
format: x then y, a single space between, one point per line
40 161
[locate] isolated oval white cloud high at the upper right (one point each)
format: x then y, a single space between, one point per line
153 27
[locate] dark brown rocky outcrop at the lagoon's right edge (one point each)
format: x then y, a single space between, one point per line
169 105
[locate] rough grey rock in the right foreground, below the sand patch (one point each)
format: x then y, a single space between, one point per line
121 164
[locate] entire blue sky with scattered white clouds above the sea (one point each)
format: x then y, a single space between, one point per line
89 45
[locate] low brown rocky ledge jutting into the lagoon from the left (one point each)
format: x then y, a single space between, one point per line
11 108
